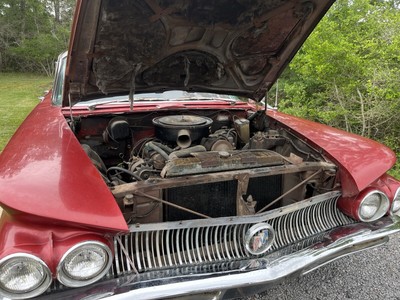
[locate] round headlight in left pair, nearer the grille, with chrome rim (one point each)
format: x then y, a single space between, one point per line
84 264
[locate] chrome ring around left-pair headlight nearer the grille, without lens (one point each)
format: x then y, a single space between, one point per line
69 280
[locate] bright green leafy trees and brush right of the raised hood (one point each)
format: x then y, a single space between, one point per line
347 73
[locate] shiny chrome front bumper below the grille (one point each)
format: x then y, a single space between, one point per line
247 277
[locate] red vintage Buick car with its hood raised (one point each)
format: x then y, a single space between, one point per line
144 174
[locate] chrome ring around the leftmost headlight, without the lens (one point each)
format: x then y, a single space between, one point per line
34 291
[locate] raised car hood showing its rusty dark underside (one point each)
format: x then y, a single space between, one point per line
229 46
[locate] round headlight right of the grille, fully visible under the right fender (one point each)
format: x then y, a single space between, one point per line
373 206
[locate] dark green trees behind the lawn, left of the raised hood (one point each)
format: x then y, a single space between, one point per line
33 33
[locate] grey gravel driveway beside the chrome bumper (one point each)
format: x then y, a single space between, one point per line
370 274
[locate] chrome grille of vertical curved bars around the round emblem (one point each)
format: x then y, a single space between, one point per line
176 244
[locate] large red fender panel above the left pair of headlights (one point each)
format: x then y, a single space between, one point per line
45 173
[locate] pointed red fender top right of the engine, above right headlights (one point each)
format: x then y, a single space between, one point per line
361 161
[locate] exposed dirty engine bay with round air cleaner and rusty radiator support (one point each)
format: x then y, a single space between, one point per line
181 164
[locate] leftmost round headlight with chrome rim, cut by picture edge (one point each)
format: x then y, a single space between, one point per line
23 276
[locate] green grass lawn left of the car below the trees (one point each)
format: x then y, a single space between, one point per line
18 96
